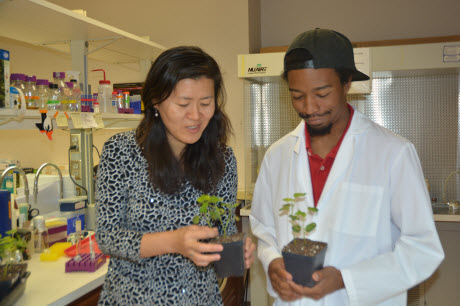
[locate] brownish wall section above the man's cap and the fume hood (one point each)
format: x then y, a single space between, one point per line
359 20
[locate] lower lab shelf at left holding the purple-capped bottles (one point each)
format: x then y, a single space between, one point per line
15 119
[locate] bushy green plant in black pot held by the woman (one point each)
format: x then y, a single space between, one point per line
214 211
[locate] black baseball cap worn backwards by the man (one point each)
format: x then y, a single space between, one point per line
328 49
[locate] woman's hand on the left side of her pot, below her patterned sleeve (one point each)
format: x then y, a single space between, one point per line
186 242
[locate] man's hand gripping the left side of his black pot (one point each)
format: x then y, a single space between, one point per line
281 280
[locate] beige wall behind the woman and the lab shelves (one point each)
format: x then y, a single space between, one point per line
219 27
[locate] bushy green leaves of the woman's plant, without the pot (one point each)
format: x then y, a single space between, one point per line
213 208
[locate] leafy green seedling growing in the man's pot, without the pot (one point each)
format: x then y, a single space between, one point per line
297 216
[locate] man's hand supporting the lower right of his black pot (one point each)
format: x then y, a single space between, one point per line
328 280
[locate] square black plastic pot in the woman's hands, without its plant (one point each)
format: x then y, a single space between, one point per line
231 261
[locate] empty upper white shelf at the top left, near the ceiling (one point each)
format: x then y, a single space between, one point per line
43 23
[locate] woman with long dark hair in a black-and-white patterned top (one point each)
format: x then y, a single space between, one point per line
149 180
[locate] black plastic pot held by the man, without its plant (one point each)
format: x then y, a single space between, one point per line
302 267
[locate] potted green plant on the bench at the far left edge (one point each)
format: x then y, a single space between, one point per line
13 275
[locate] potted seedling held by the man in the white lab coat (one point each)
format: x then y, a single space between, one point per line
302 256
